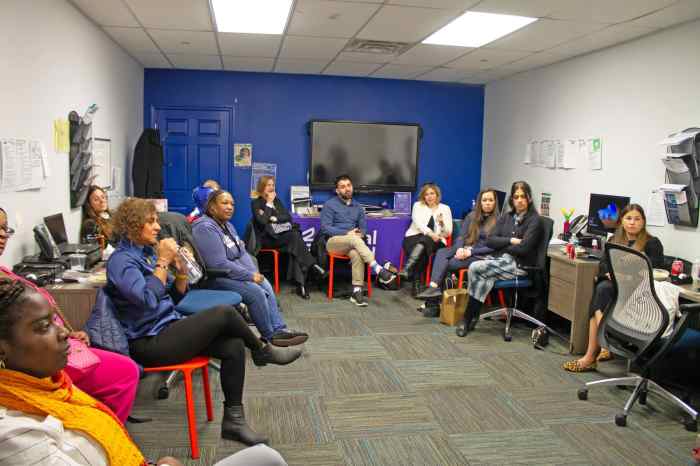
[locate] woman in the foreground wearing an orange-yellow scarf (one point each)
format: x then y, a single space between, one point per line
44 418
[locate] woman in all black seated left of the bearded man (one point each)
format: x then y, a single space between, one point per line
274 229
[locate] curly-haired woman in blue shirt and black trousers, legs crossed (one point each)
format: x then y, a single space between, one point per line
144 294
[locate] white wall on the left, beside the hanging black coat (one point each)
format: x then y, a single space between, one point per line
54 60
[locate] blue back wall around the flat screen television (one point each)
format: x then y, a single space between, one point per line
272 110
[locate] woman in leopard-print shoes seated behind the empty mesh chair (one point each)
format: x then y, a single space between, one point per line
631 232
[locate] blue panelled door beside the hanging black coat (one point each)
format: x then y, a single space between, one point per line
196 147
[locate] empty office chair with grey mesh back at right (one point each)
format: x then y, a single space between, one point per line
633 328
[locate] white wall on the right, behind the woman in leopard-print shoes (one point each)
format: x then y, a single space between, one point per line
631 95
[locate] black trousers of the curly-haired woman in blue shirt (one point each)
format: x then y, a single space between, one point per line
219 332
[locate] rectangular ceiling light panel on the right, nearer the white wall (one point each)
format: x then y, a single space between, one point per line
474 29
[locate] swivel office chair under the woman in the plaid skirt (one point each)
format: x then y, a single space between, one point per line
535 285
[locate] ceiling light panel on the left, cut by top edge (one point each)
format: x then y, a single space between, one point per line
251 16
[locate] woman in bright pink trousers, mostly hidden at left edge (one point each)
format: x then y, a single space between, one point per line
114 380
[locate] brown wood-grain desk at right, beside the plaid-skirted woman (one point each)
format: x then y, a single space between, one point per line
571 284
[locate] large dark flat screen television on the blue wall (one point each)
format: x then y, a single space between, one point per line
379 157
